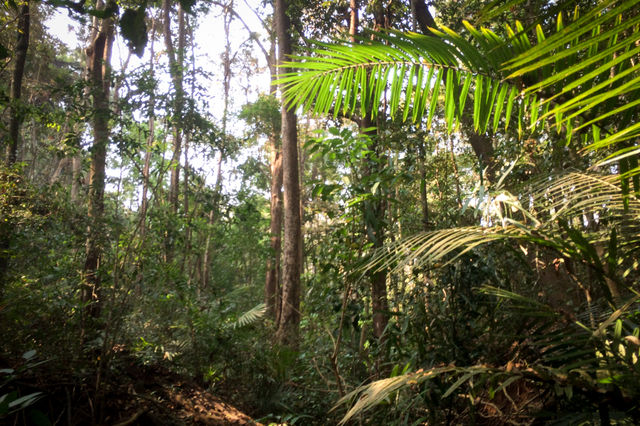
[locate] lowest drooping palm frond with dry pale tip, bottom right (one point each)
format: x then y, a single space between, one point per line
575 358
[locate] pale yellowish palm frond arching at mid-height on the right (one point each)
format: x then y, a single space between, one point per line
551 215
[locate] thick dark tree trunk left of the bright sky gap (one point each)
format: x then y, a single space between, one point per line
98 60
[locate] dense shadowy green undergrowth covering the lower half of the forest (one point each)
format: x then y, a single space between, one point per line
483 339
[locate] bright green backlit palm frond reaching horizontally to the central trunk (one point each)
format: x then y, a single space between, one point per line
408 72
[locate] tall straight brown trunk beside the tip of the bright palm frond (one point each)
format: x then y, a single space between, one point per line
288 328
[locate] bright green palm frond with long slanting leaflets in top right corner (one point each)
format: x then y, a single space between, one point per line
592 76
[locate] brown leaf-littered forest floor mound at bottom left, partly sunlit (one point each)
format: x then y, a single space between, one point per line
138 395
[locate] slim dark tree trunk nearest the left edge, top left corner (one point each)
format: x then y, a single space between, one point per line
15 112
